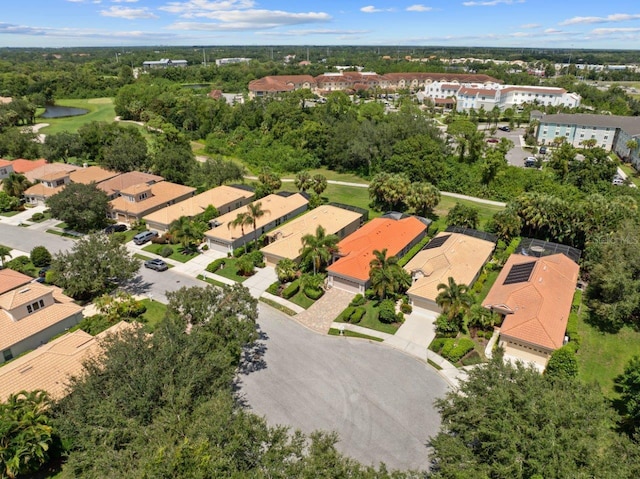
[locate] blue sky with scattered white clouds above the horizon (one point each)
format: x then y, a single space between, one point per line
508 23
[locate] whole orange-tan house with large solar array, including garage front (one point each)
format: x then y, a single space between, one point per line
534 295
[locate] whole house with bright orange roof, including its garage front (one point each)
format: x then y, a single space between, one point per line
398 234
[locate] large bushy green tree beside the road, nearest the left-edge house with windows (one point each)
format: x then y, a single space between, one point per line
96 264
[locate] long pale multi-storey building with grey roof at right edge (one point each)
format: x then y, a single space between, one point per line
611 132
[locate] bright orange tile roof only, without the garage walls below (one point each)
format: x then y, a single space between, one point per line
380 233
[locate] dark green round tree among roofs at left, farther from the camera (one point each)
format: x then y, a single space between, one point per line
82 207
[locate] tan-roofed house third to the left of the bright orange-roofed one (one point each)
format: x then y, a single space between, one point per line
223 198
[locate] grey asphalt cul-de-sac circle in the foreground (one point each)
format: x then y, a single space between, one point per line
379 400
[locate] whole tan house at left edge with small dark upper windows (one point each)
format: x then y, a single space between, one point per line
31 314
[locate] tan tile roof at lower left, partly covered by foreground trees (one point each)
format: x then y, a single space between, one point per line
50 366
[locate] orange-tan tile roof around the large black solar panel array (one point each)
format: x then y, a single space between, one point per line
538 308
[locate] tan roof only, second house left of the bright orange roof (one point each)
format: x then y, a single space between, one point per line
276 205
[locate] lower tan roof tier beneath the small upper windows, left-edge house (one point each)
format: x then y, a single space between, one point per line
15 331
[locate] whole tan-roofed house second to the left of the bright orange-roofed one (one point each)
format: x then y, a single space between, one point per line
278 208
